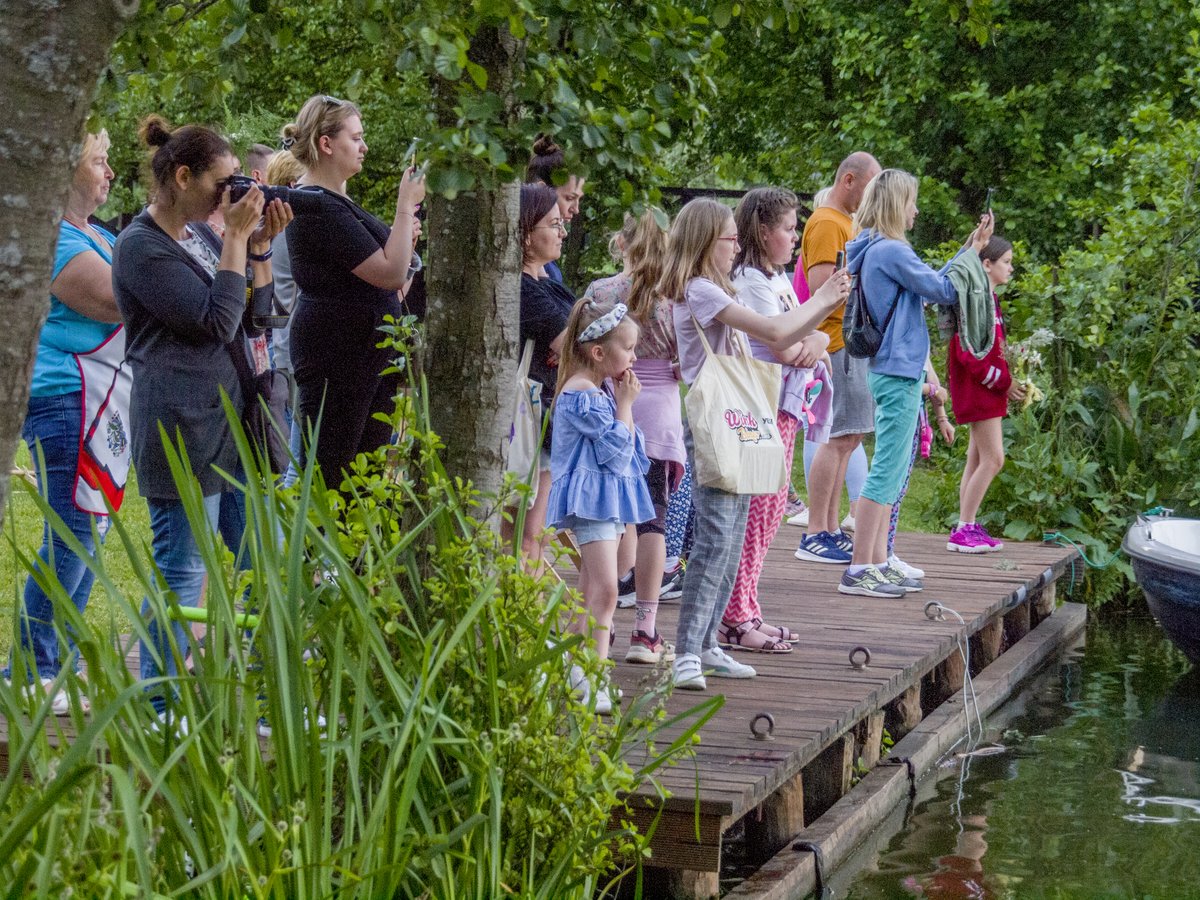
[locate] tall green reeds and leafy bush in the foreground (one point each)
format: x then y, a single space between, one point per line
454 763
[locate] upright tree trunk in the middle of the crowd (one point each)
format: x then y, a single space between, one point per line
475 298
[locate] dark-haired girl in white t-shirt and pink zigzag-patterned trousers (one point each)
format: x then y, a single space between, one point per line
766 223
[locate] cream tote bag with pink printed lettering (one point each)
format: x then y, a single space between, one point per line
731 411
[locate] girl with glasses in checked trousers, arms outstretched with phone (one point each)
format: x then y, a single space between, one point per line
701 251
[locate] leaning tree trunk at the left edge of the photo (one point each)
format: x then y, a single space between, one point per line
51 56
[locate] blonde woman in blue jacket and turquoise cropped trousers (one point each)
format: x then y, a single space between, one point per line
892 274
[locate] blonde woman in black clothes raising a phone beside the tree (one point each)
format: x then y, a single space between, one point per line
350 267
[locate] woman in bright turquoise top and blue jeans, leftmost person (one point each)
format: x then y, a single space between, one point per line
79 411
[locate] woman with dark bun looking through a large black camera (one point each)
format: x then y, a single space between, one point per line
183 298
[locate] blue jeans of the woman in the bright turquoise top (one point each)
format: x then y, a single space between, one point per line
53 424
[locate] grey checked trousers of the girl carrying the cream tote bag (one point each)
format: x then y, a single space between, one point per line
713 563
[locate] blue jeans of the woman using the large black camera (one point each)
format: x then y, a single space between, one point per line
178 557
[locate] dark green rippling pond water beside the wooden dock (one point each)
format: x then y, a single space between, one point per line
1095 795
